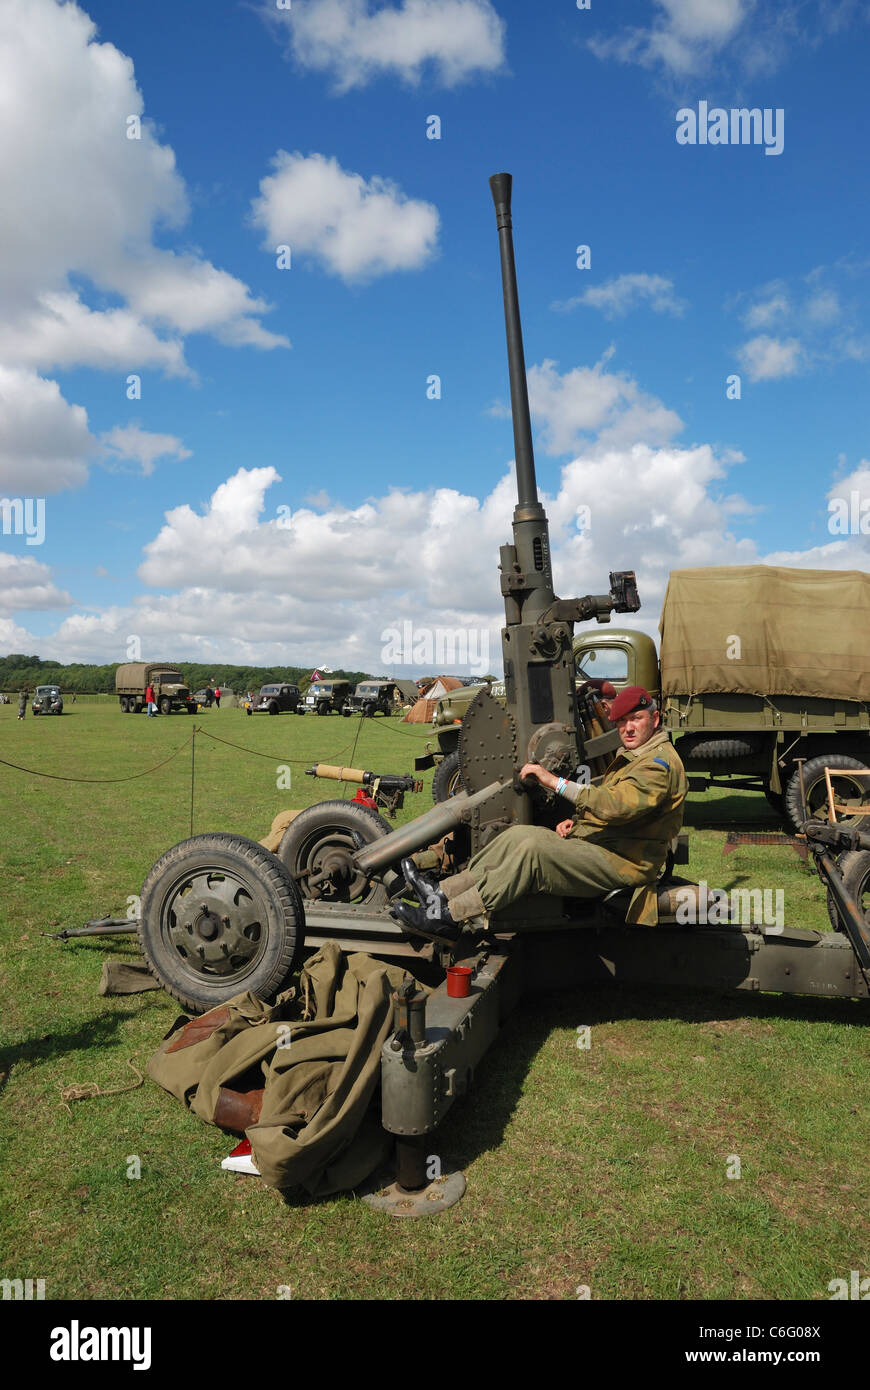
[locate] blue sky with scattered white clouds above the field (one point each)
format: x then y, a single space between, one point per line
305 389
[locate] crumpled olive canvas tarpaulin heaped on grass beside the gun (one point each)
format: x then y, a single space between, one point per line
312 1061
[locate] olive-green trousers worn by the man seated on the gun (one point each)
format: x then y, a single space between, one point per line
529 860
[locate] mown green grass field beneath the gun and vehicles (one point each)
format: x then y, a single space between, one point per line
602 1168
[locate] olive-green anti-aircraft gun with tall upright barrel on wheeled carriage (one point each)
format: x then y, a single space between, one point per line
222 914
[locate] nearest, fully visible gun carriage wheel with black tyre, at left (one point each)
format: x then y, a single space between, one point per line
220 915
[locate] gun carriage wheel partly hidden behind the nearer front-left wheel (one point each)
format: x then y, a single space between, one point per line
319 847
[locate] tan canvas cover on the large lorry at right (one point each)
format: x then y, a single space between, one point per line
801 633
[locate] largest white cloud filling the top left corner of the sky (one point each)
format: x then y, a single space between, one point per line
83 202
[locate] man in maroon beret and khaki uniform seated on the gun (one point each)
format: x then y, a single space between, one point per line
618 836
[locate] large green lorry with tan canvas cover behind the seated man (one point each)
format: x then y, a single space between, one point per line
761 668
